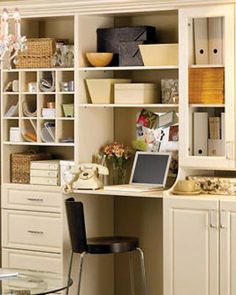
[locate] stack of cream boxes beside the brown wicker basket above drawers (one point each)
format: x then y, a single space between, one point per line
44 172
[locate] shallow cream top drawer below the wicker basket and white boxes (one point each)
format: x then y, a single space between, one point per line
14 198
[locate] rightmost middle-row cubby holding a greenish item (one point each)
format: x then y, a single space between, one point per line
65 106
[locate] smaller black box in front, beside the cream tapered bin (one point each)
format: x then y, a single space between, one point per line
129 53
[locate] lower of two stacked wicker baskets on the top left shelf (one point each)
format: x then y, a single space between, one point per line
33 61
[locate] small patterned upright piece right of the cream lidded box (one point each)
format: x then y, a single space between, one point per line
170 91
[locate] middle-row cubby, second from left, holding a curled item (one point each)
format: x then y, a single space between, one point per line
28 105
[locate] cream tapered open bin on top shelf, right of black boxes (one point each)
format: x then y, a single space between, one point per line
159 54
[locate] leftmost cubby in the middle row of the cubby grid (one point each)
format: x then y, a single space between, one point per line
10 105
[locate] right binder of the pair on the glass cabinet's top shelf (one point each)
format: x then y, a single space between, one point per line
215 30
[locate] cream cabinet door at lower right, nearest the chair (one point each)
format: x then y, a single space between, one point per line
191 247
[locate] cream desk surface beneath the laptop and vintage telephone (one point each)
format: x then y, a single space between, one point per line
151 194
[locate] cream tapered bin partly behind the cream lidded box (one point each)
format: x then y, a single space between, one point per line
101 91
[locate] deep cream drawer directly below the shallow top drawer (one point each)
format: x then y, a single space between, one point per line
32 230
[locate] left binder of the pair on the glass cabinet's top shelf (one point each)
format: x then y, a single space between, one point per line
201 40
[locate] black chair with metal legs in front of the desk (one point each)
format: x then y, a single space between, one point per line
99 245
